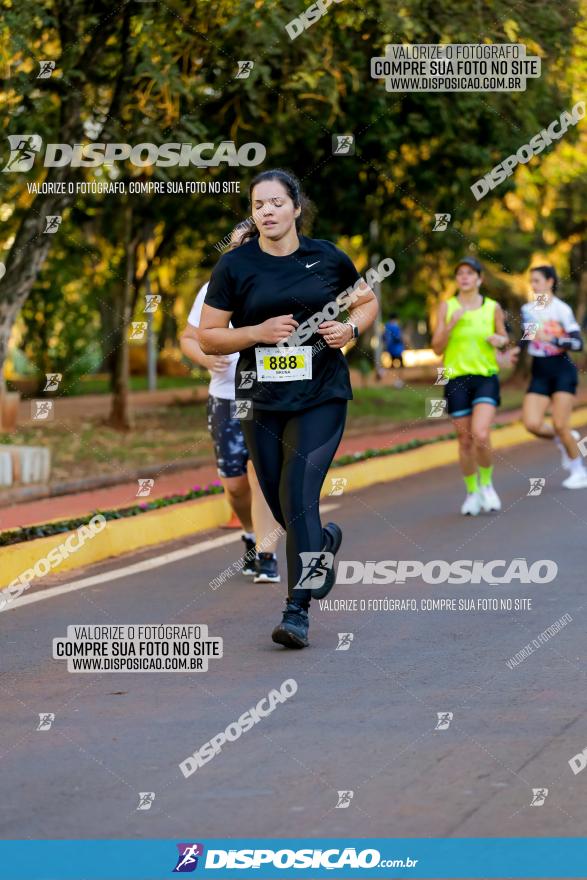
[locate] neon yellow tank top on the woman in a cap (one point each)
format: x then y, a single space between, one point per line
467 352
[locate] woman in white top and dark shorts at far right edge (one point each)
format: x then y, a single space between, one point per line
550 332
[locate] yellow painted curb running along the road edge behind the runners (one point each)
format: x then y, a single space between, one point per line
190 517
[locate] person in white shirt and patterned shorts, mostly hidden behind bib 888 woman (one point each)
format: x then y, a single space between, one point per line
235 468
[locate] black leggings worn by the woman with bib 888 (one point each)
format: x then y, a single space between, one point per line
291 452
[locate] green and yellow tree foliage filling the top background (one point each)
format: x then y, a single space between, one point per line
167 72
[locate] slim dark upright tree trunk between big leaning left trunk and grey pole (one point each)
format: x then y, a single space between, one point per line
119 413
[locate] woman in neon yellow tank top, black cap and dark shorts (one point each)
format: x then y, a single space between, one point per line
470 330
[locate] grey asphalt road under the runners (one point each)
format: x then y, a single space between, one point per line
362 720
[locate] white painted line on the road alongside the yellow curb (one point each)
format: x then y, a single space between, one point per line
135 568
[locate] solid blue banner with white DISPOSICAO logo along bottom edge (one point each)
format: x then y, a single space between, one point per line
369 858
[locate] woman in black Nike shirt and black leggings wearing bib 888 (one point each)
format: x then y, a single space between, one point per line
282 287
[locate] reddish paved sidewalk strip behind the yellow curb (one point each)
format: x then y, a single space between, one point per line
28 513
